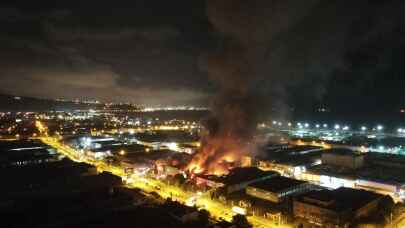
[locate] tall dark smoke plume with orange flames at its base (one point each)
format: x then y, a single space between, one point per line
247 29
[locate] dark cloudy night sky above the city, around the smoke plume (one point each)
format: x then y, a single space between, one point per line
338 54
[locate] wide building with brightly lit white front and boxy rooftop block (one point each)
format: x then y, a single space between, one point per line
380 173
